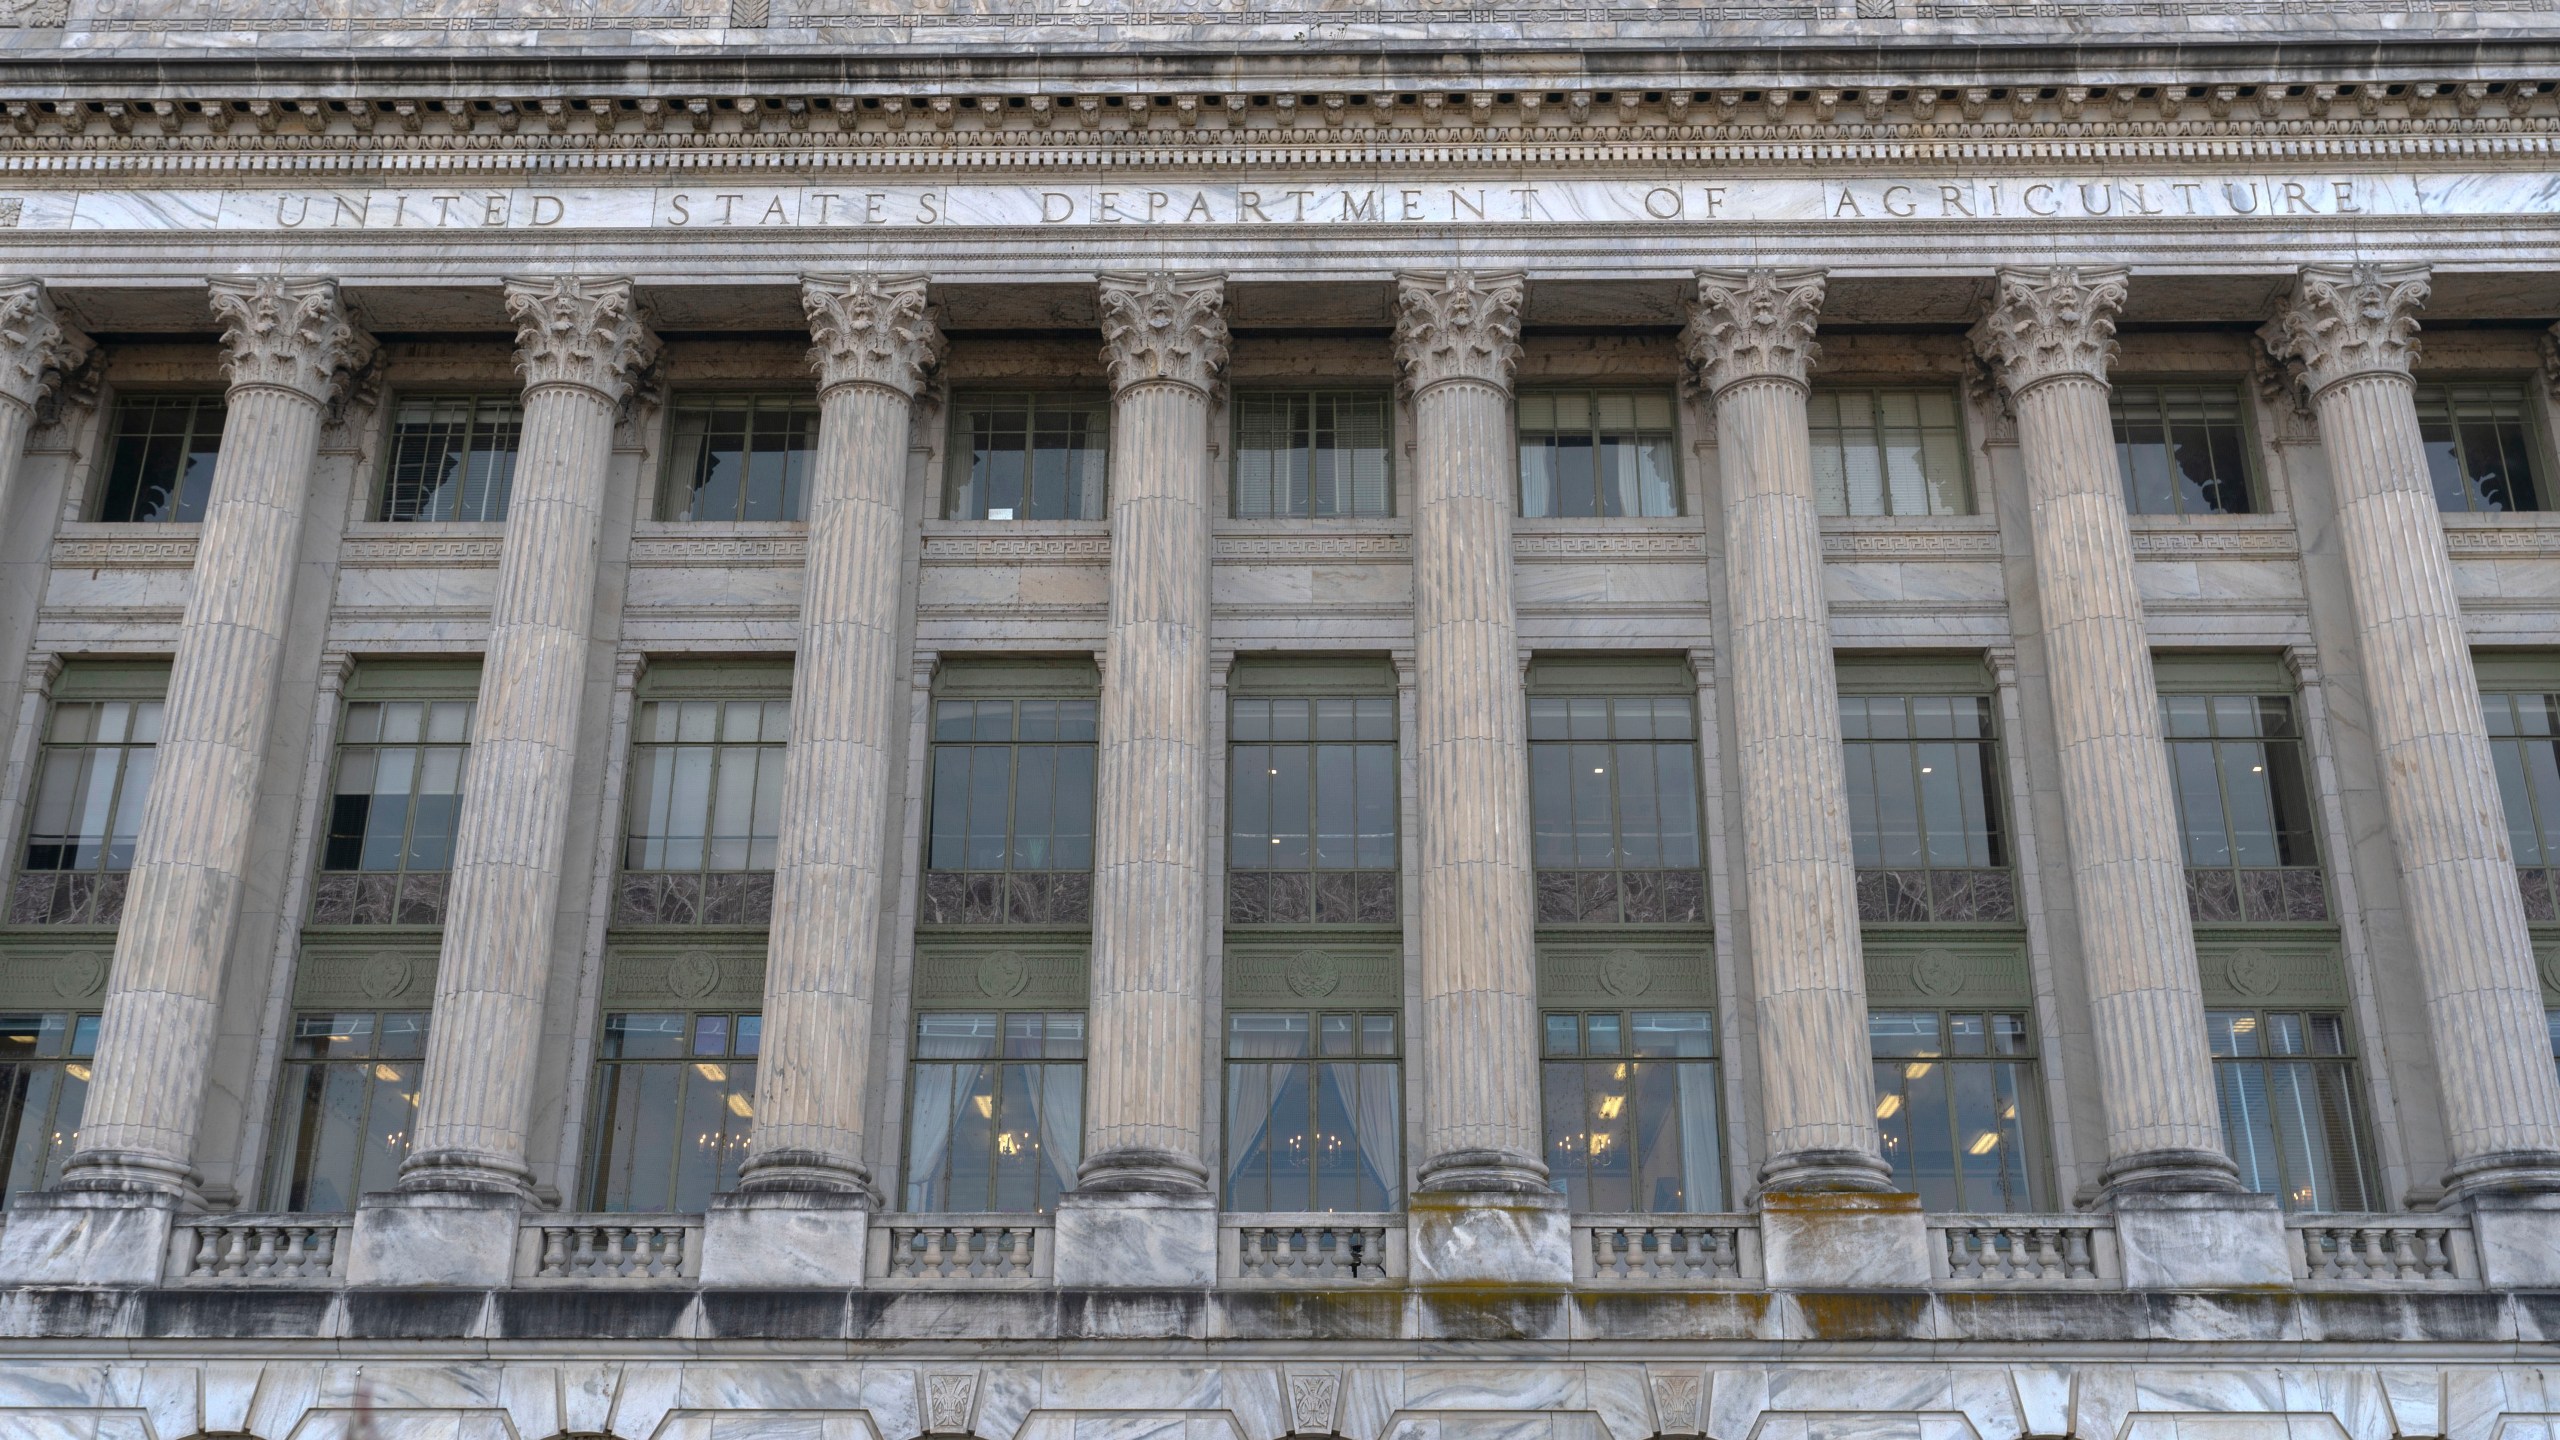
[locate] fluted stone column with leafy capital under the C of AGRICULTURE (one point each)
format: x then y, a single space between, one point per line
2052 340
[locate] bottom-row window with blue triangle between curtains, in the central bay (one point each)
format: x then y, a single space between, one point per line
1315 1111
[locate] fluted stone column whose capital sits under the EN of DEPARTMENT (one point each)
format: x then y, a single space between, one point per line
1458 340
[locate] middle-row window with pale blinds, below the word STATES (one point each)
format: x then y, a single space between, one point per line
705 814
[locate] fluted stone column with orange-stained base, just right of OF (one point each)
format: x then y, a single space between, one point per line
1750 342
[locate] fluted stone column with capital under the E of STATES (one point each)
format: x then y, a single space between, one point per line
874 350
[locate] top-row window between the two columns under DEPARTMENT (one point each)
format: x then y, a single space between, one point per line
1312 455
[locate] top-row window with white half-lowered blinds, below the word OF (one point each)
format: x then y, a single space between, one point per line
1599 452
